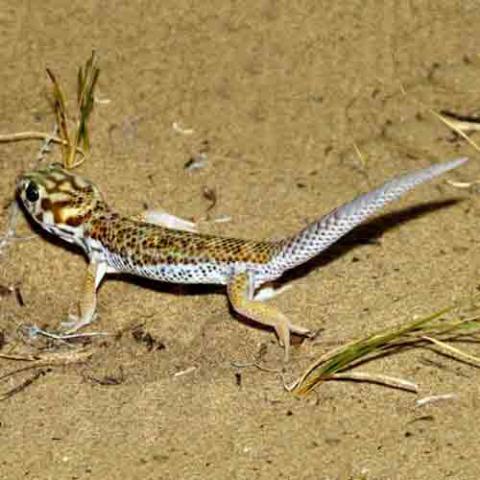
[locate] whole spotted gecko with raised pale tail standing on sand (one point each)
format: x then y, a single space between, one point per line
166 248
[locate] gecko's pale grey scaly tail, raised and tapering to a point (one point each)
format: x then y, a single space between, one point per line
319 235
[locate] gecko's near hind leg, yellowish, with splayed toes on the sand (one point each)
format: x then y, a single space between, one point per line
239 291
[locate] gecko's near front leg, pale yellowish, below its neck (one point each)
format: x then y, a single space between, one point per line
88 301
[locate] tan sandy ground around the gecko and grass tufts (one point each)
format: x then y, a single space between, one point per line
279 97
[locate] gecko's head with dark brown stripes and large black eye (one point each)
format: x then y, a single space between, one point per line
60 201
